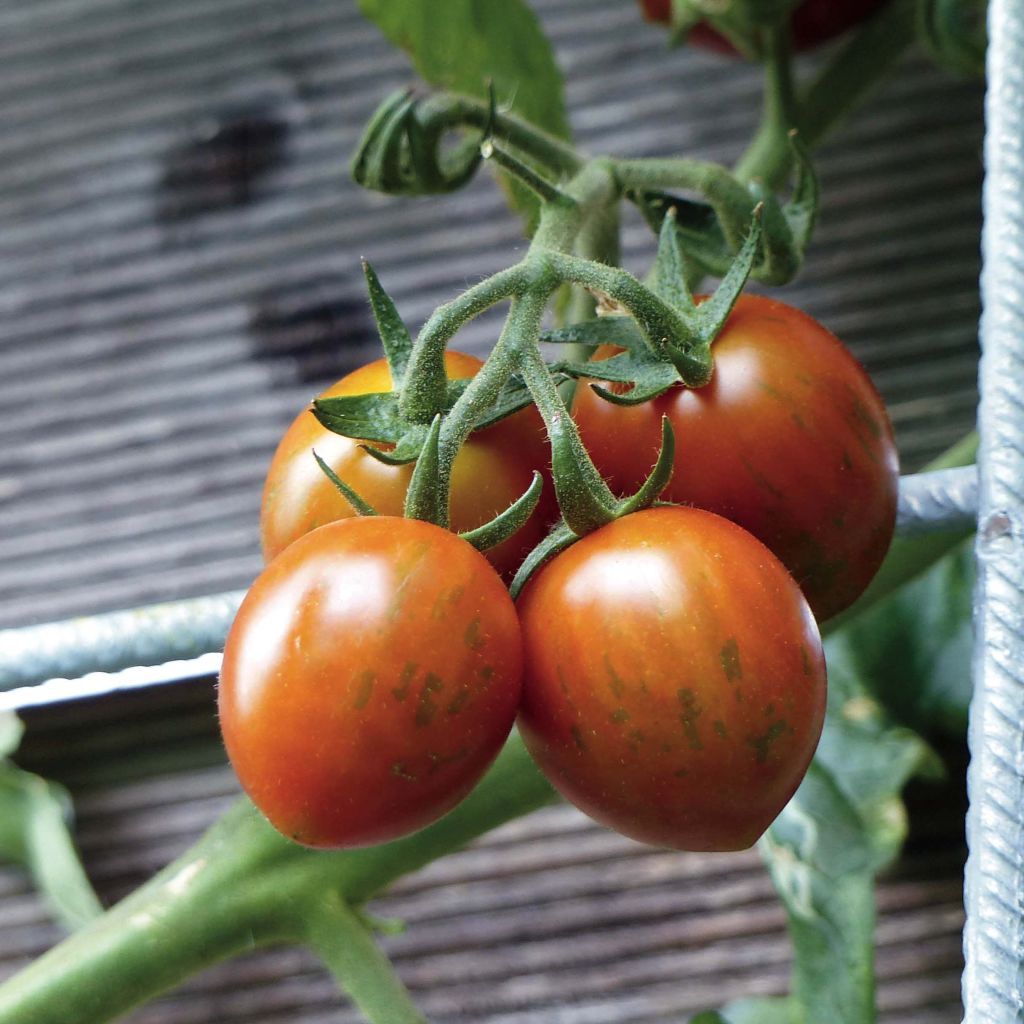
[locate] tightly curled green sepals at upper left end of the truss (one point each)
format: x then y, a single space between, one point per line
403 150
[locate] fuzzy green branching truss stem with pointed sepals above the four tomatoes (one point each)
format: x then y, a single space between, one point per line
734 230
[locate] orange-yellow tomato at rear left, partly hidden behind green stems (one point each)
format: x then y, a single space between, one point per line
494 468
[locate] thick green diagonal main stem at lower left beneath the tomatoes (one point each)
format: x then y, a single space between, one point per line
243 886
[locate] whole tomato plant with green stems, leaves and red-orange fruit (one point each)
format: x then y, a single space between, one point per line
668 669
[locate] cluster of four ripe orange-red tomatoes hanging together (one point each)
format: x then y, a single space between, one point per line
667 669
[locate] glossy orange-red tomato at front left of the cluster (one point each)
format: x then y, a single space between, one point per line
372 675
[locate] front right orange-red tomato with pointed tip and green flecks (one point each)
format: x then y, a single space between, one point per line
675 684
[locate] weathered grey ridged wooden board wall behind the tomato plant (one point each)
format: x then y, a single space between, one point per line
180 273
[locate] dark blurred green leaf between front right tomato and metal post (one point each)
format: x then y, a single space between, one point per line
914 649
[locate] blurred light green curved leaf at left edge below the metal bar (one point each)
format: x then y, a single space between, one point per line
34 832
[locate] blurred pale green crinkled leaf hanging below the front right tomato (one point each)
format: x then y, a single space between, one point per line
845 824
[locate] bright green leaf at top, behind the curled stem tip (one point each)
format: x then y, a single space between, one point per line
465 46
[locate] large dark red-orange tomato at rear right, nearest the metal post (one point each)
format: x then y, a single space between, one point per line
790 440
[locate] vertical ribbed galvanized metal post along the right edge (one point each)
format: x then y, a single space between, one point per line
994 941
